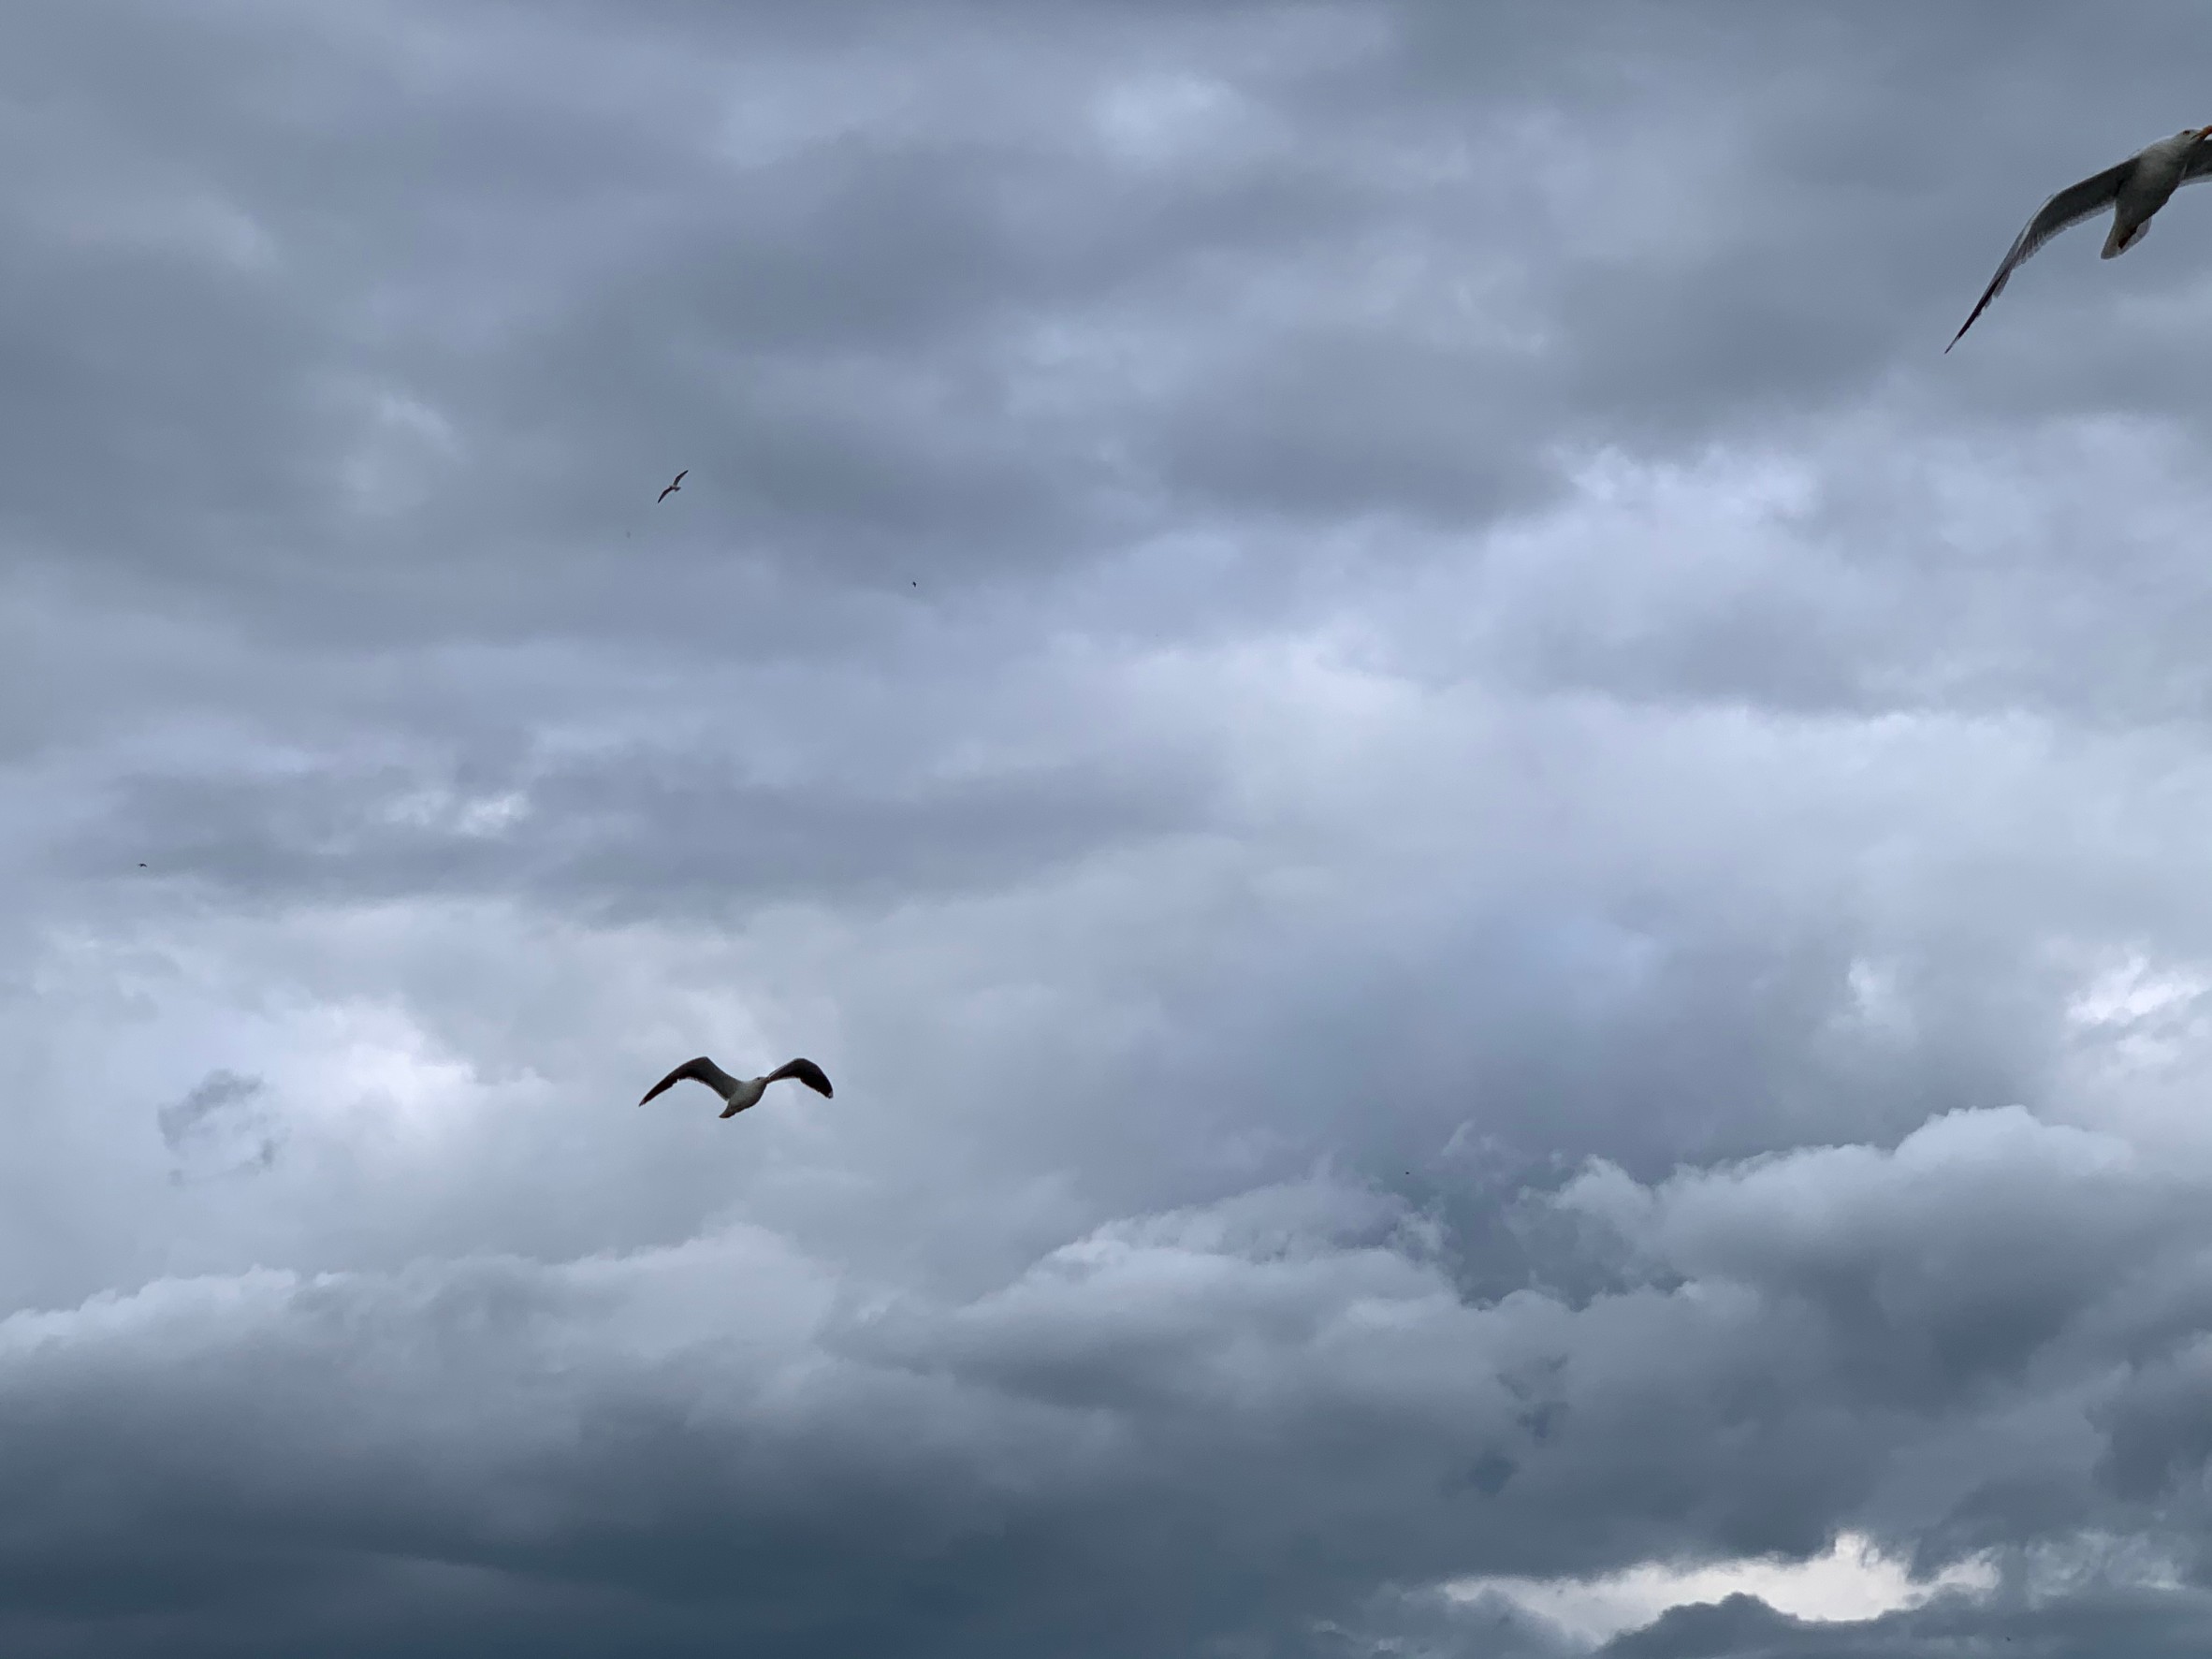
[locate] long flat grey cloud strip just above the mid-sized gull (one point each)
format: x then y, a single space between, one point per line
669 833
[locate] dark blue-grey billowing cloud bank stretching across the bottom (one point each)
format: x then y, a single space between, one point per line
731 1437
